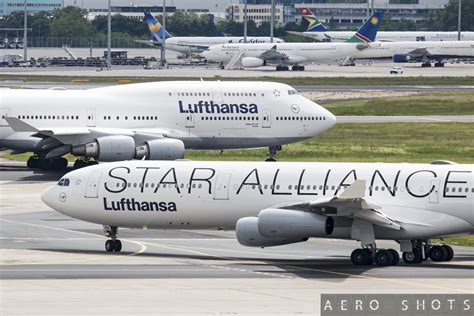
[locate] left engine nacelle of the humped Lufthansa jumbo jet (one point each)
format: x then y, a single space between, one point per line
107 148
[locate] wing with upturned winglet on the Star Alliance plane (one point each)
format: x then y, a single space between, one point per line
351 203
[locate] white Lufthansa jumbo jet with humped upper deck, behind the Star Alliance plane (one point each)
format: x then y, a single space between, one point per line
155 120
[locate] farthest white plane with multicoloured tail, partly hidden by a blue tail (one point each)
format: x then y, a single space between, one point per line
316 30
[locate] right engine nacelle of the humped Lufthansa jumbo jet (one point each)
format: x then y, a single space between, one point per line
161 149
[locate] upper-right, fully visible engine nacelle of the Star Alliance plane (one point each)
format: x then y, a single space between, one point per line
292 224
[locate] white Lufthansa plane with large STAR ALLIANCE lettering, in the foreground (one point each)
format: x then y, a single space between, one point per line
271 204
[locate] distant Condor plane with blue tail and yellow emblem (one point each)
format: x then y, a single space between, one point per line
193 44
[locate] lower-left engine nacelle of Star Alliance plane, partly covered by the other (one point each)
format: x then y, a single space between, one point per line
248 235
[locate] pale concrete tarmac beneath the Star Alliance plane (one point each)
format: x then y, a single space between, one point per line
54 265
